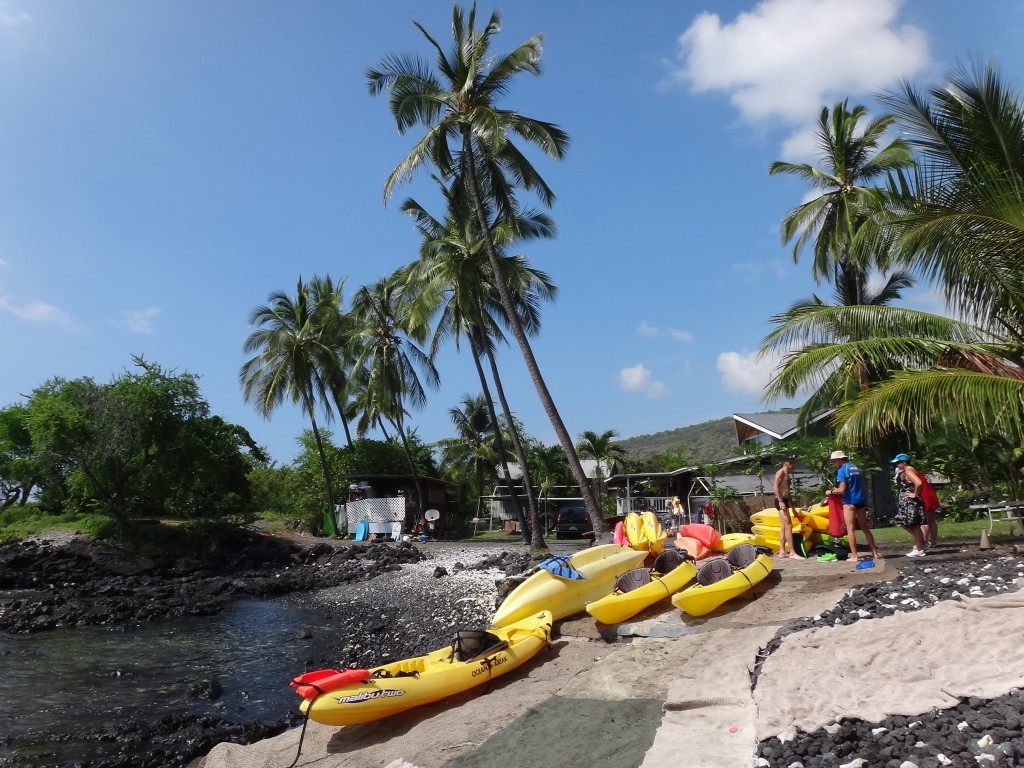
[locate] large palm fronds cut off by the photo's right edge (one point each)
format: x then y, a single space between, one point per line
961 223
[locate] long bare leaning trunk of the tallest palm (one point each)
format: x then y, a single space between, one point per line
470 174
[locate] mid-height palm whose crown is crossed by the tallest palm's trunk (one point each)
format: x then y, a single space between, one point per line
458 284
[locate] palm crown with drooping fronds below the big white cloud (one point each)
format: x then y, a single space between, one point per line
836 220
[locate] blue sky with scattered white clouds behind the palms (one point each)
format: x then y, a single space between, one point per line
165 167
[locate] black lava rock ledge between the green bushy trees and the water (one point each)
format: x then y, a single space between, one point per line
53 583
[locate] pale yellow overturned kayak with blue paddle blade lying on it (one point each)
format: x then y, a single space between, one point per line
600 566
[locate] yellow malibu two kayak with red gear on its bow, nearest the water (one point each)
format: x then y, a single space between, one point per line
351 697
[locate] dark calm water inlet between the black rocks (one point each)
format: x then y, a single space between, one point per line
93 677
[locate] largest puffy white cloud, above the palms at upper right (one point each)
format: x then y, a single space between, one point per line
786 59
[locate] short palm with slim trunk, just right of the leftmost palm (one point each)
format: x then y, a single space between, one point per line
385 334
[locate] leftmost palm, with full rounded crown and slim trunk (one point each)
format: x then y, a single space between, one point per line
300 346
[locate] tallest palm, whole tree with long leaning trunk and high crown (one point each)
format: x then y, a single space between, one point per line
468 136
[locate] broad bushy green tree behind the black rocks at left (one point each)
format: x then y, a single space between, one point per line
144 445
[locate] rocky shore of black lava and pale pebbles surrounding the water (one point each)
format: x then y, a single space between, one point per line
389 602
